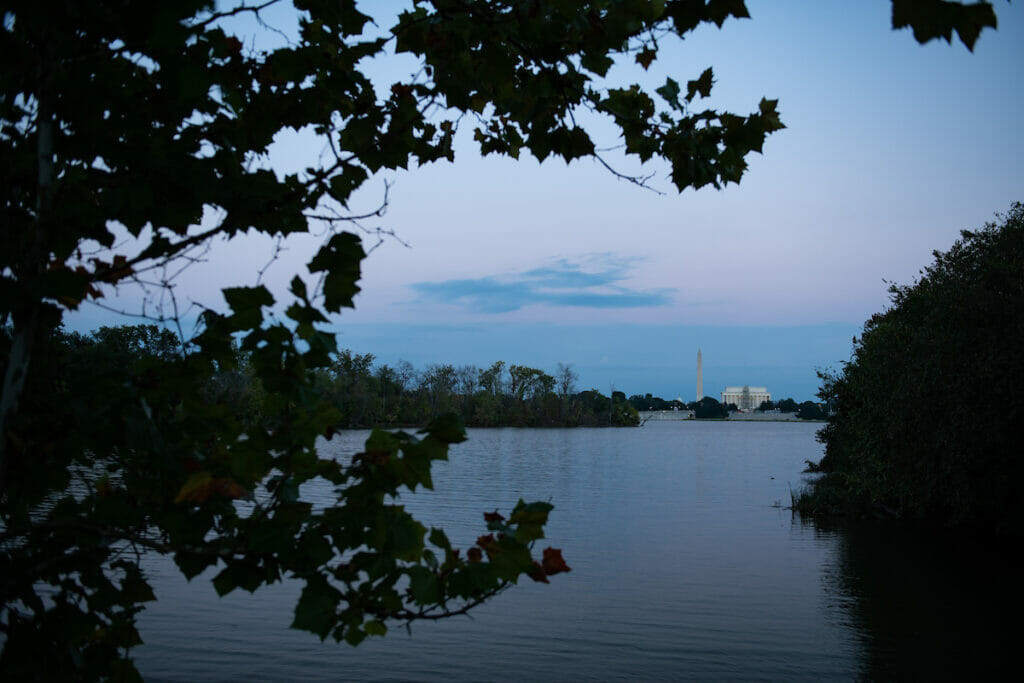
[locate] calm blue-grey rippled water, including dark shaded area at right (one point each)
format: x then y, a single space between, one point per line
685 568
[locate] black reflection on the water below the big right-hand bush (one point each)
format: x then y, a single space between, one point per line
930 606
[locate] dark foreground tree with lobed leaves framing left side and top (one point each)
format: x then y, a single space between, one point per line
155 121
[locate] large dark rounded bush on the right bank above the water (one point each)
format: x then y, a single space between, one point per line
927 410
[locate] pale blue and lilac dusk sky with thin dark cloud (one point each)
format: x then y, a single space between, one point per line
891 149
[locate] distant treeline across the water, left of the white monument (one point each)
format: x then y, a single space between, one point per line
367 394
